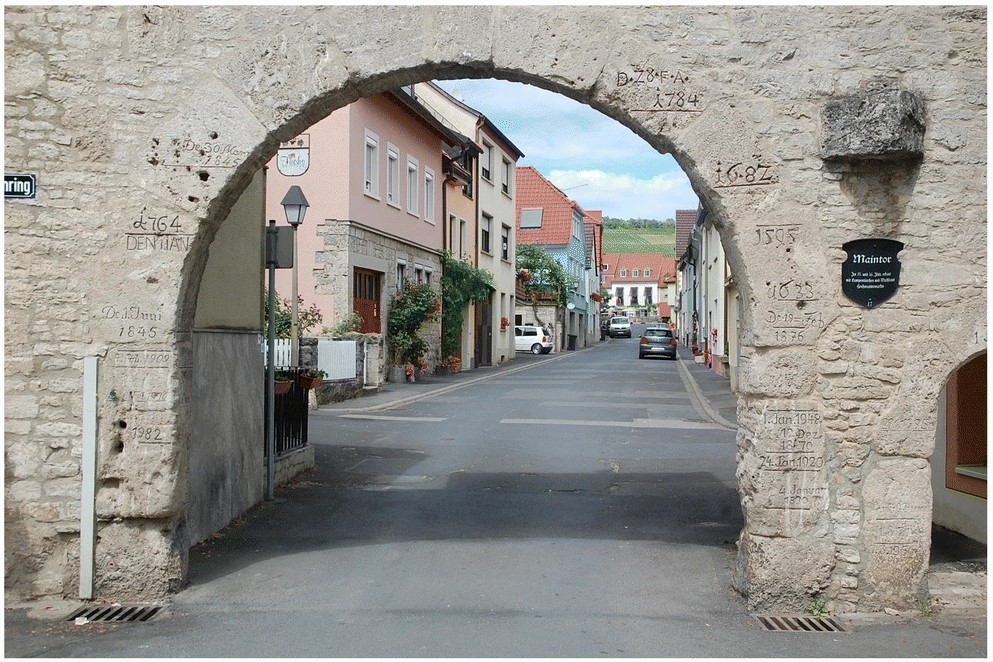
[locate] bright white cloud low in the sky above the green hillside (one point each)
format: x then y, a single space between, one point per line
625 196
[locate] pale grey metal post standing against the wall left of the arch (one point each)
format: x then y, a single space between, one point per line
87 501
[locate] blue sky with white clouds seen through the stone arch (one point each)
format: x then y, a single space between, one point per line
602 164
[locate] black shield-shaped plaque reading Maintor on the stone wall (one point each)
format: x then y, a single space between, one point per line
871 274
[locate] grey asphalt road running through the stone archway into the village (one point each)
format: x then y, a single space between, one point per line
579 508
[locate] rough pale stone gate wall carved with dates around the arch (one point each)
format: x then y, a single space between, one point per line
132 115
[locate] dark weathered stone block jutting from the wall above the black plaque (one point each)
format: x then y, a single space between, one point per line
883 124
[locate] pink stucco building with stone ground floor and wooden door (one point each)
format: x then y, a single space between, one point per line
372 173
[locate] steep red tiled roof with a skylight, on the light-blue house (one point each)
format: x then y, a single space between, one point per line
533 191
